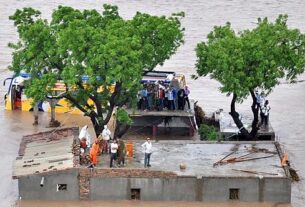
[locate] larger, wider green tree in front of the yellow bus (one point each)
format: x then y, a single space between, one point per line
112 52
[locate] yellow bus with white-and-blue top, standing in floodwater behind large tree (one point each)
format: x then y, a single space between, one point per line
15 98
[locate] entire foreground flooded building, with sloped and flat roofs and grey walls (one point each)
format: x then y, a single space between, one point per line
48 168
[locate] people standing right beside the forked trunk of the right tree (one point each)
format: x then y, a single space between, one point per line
264 107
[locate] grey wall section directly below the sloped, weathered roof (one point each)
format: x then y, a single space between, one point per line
30 189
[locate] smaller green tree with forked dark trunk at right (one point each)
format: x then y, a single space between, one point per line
252 59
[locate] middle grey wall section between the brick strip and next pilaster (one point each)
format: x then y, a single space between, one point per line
151 189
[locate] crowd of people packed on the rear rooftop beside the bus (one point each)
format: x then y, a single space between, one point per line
155 96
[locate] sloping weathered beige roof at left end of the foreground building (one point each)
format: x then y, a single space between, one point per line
43 155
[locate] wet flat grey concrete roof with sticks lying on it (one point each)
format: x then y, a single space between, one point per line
199 159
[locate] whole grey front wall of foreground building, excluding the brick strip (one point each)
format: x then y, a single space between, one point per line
206 189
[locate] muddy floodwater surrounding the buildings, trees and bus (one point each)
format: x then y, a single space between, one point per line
287 101
